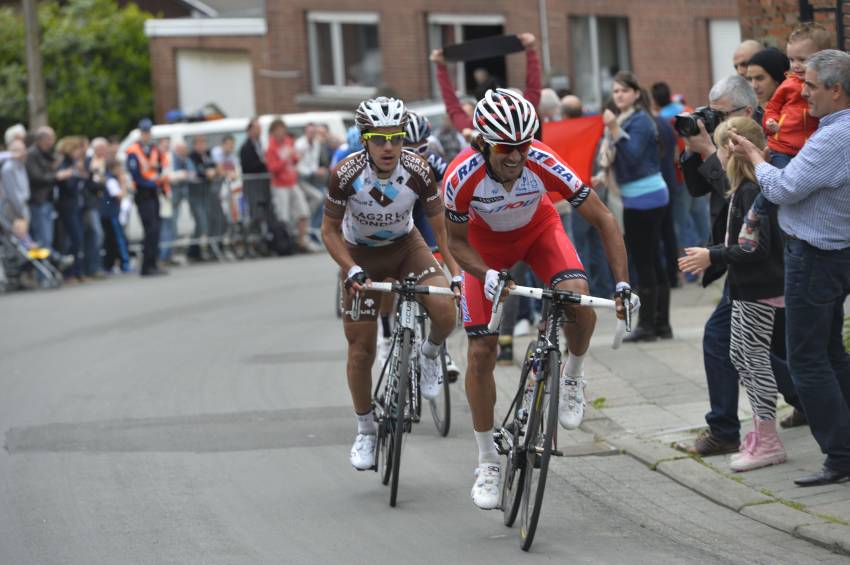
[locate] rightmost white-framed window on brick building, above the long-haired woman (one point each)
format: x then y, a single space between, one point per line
600 49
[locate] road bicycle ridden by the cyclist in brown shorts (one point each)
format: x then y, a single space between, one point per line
397 397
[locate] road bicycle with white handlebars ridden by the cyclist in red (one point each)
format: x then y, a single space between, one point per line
527 436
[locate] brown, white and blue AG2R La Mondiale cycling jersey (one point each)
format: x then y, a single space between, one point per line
376 212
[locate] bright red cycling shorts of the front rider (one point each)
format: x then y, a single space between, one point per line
546 249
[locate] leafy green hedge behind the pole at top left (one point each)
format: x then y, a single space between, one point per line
96 66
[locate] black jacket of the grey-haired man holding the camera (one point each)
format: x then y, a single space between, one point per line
709 178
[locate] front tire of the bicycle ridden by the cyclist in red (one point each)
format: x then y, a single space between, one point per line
541 427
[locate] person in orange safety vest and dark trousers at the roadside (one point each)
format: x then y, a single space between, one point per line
145 165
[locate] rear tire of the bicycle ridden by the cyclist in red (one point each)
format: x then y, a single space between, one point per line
514 471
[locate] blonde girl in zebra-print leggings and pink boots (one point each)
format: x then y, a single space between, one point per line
756 288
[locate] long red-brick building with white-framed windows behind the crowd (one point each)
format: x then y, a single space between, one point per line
329 54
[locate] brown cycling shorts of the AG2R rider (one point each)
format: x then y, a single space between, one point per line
407 256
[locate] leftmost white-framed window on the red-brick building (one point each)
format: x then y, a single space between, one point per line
345 55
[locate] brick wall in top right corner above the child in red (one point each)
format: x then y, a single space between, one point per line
770 21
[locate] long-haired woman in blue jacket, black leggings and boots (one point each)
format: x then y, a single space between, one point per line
637 168
